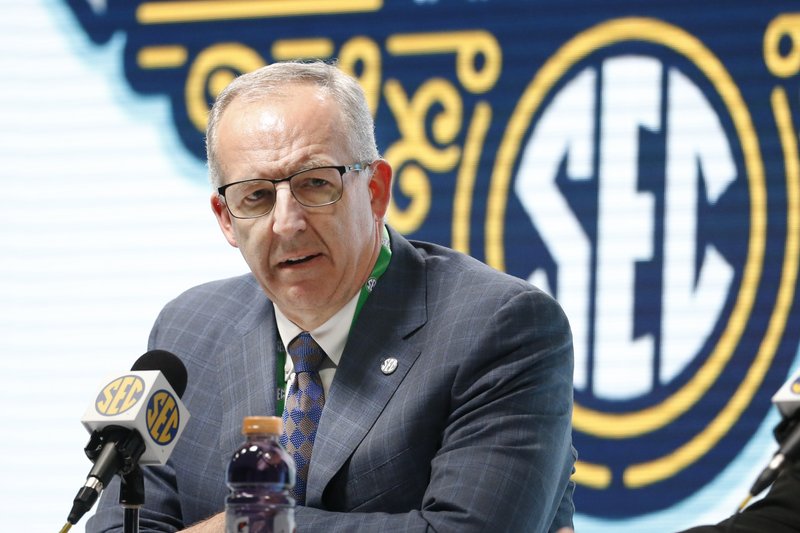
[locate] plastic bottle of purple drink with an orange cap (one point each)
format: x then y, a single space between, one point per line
260 476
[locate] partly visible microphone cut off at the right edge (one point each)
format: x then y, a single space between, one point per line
787 433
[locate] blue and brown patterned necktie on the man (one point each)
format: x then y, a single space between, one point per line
303 410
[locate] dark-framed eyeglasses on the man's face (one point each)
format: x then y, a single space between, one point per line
314 187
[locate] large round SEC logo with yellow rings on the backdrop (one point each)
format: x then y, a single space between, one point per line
640 169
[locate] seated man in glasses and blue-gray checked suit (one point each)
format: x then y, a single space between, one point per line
447 384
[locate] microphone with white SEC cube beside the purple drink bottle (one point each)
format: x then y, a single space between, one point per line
136 419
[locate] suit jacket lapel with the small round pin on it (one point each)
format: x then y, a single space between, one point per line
360 390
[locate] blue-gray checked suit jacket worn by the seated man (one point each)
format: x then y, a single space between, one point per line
470 433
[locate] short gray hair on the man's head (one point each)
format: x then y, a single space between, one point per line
277 79
